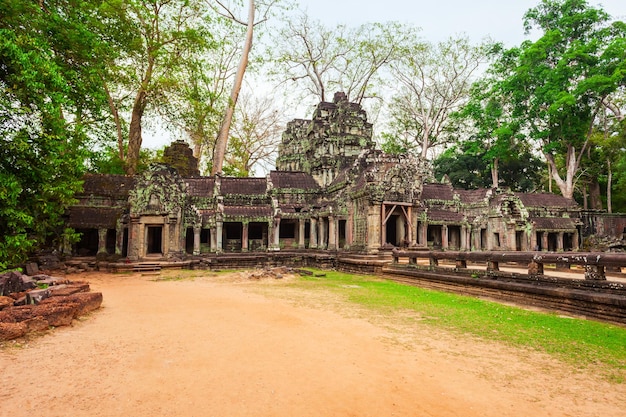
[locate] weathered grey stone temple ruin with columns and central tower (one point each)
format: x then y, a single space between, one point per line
331 191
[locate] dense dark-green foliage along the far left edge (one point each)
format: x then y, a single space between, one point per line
50 95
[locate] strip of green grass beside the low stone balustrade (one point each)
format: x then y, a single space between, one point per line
581 343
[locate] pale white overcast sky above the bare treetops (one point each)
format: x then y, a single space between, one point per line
439 19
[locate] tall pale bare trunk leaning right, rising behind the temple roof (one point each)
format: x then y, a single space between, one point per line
222 139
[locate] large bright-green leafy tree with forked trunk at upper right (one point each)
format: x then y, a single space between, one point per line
557 85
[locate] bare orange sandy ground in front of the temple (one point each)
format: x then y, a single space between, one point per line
229 346
